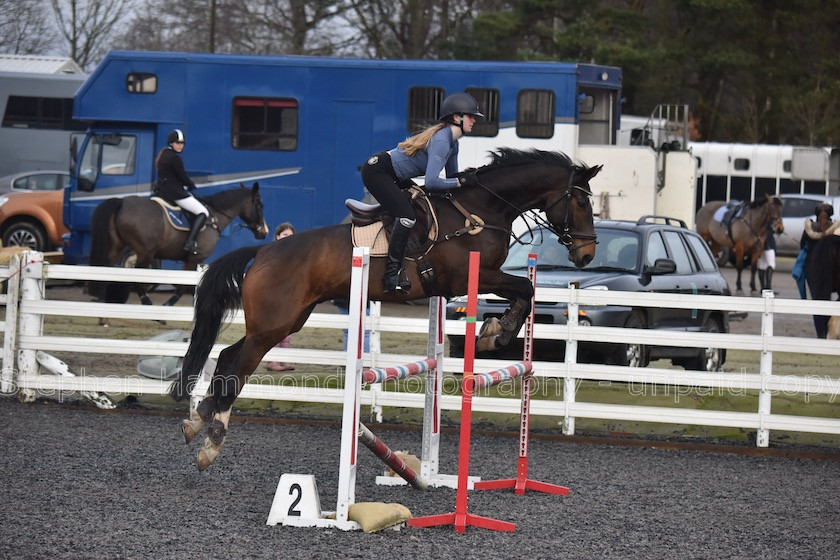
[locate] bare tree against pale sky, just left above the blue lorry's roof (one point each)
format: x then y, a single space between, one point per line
88 26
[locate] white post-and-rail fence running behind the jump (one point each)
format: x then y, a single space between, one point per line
29 367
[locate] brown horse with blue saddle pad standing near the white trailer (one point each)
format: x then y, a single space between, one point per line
746 235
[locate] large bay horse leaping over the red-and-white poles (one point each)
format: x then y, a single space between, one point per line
287 278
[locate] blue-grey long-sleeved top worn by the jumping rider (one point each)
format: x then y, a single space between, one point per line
442 152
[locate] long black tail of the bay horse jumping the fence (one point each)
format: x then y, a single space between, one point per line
217 295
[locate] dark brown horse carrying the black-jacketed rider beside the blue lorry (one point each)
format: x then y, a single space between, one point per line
139 224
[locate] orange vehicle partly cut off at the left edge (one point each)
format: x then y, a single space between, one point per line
33 219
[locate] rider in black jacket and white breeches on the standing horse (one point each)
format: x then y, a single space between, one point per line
175 186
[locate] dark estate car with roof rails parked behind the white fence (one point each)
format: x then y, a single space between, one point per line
651 255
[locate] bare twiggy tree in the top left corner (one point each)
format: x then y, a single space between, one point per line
25 27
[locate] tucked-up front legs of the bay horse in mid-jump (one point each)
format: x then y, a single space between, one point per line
496 333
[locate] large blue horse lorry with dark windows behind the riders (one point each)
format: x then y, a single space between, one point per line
302 126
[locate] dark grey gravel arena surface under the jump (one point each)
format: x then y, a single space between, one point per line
85 484
